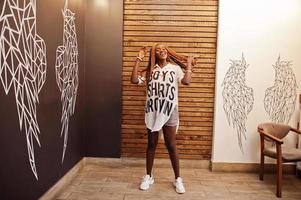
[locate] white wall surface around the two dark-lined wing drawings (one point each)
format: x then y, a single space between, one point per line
262 30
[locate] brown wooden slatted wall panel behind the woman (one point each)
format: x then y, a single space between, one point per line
190 28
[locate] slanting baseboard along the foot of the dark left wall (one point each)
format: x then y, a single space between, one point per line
63 182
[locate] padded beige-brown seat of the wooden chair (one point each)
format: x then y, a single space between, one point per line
288 153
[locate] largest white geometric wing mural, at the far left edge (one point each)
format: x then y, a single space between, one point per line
23 65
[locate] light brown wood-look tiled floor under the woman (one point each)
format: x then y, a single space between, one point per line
118 179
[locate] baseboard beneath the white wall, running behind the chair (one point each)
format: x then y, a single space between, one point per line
250 167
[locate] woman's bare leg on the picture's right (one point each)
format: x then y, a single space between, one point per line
170 142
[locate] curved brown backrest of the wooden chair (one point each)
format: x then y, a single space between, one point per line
277 130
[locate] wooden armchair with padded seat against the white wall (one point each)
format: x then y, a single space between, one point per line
275 133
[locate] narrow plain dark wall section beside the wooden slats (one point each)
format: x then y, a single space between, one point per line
104 22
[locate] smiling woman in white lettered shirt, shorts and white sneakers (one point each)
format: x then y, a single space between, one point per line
161 112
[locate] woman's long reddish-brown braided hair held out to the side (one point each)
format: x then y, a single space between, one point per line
172 57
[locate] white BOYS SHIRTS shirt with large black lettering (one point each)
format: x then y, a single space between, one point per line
162 95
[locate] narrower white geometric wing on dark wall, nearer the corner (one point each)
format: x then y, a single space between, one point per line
67 71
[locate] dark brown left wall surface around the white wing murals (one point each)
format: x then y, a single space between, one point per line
17 180
